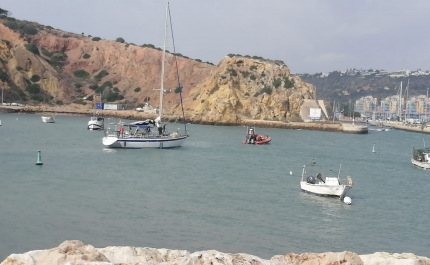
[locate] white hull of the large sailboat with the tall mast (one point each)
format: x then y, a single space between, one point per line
163 142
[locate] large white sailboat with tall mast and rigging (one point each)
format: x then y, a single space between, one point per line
148 133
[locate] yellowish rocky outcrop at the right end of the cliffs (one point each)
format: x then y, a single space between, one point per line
247 88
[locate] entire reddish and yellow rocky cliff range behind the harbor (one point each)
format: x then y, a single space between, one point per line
42 65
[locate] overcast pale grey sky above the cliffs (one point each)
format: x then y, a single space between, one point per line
308 35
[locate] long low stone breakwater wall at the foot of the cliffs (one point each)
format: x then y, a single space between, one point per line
134 115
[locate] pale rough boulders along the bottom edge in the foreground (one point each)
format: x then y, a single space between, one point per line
74 252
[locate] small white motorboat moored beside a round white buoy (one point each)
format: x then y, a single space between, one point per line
332 186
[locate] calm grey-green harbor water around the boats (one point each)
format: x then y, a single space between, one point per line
213 193
